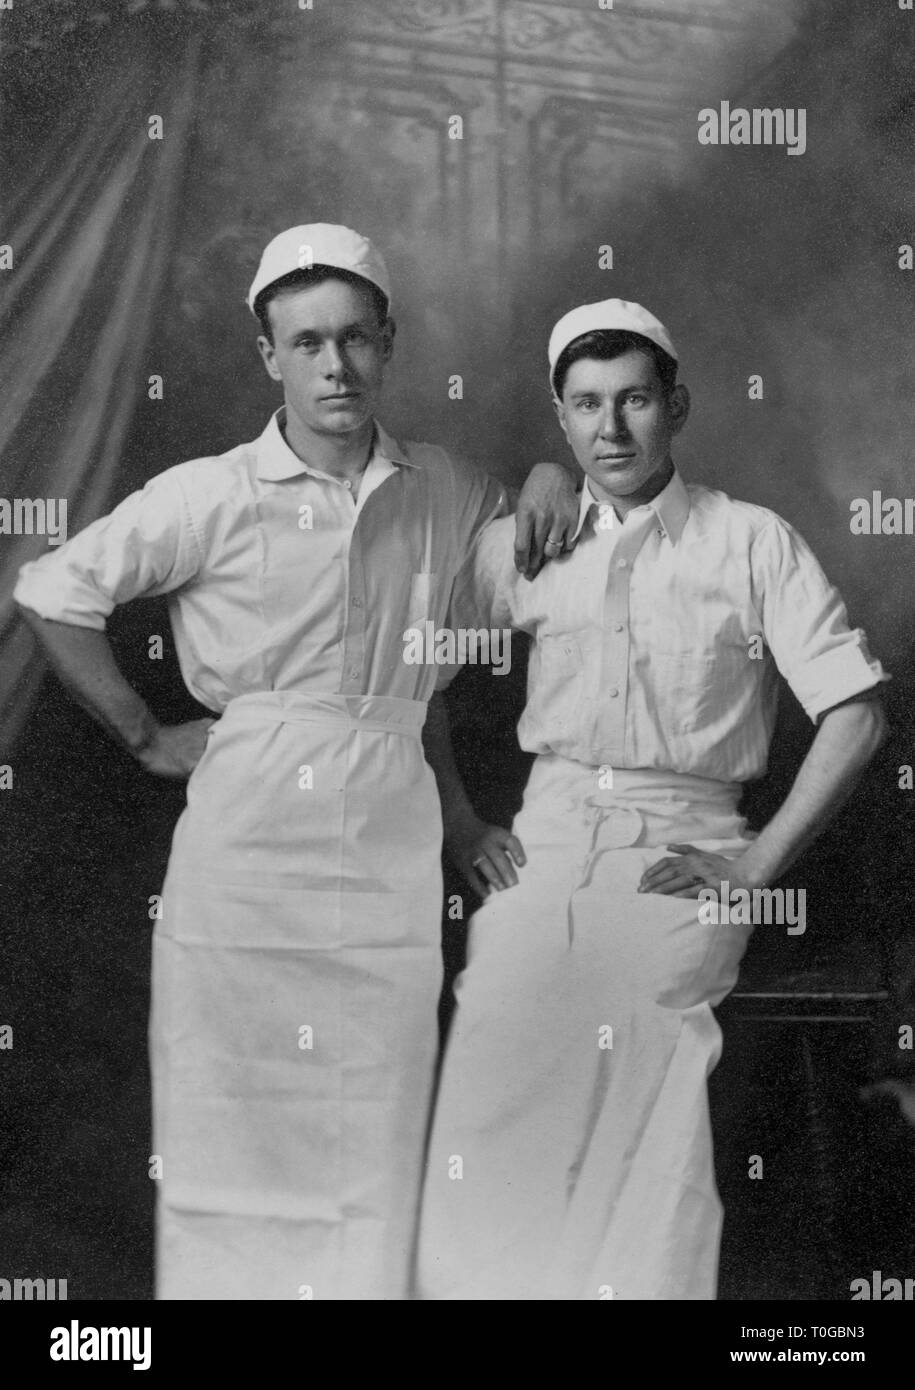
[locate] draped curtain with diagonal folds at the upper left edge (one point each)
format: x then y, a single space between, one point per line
91 224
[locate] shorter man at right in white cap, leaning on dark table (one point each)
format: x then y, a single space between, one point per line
574 1099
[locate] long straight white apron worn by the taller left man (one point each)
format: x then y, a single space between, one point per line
295 985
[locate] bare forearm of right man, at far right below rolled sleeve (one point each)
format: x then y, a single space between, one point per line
846 742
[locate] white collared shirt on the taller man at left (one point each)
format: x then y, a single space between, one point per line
276 578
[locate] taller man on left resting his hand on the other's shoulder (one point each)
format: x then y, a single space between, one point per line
297 965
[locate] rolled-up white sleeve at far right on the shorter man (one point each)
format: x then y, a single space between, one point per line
806 623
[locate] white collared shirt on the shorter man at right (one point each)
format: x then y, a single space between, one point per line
657 640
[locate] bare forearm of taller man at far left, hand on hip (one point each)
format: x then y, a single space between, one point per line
84 661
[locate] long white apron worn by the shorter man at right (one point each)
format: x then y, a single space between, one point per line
568 1161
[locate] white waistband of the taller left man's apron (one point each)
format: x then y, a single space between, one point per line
368 714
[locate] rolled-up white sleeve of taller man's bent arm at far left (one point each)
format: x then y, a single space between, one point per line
147 546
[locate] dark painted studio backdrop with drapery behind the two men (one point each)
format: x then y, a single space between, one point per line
512 159
